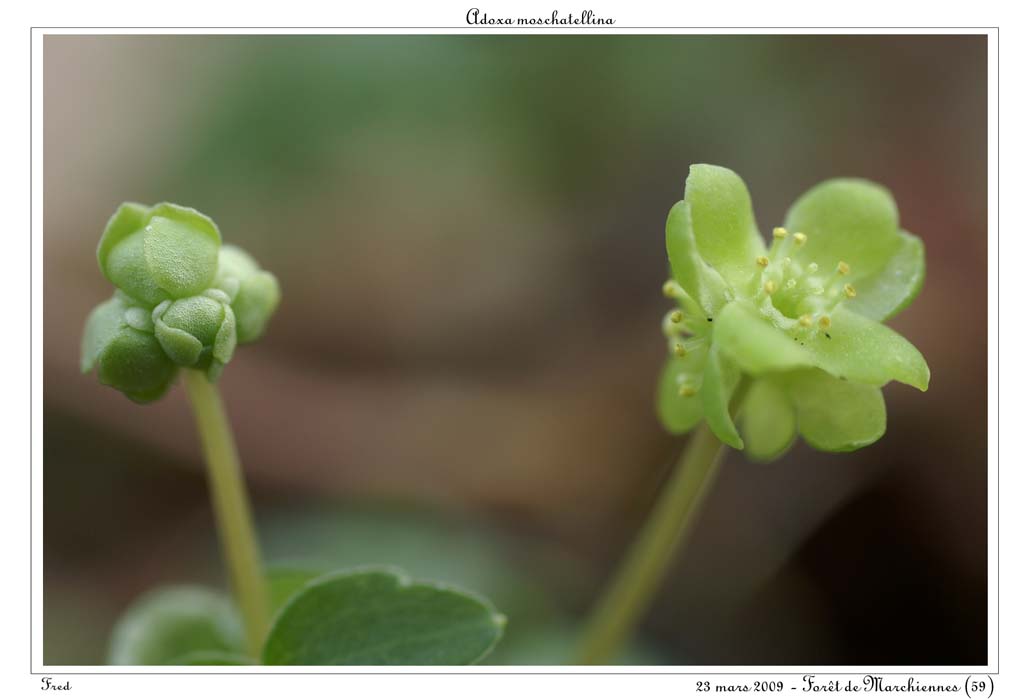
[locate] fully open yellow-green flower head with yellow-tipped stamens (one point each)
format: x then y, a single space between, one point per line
797 327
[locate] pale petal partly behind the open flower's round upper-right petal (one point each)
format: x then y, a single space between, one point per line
890 292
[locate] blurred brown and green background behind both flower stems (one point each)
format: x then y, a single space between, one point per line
470 235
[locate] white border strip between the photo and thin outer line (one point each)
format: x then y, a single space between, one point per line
37 667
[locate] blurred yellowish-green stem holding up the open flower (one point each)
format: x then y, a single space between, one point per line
617 616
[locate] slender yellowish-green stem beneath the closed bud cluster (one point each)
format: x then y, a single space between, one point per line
232 508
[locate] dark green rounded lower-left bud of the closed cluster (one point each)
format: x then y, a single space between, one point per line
133 363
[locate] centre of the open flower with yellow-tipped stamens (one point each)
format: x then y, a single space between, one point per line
802 293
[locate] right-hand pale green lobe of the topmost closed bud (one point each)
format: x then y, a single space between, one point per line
182 250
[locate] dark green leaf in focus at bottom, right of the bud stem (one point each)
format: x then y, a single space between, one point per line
378 617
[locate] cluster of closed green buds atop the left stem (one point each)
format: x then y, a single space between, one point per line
183 300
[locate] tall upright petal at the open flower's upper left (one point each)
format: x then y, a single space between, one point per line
723 223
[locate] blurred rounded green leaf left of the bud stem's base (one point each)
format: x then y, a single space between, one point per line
165 625
